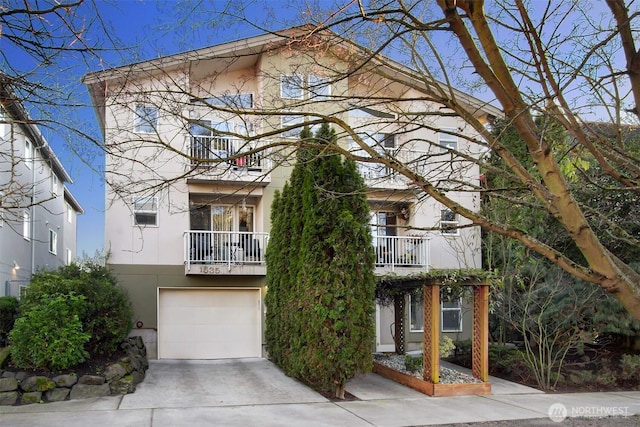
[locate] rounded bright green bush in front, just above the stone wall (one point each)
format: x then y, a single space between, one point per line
49 335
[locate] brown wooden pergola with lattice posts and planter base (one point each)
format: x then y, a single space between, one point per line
431 286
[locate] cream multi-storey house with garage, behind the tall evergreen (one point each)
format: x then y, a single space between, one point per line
188 200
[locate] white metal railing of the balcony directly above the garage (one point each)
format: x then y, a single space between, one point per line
224 247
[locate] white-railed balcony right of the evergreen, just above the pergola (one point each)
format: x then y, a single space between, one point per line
401 254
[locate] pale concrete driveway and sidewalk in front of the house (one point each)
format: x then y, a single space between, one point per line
253 392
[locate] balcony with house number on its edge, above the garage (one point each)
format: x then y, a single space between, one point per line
225 253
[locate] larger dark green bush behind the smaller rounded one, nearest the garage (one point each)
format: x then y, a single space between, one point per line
107 314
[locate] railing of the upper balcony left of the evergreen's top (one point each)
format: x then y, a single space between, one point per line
225 151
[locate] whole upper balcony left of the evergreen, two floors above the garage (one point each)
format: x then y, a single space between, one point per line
220 158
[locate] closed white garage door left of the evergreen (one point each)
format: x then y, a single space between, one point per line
209 323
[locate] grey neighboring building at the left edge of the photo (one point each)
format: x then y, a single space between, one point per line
37 211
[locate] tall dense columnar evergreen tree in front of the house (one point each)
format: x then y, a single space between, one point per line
321 311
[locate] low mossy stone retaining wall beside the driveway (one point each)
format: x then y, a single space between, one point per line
19 388
